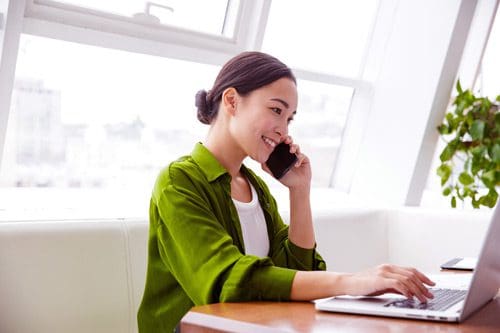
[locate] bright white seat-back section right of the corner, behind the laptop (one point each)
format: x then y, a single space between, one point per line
427 238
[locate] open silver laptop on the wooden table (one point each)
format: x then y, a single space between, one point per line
449 304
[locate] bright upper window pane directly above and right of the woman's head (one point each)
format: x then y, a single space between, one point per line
324 36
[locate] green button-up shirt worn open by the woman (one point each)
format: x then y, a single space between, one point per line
196 253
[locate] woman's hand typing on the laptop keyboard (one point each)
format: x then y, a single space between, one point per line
389 278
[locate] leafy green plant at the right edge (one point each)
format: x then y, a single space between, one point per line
470 161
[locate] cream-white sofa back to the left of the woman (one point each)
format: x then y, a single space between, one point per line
71 276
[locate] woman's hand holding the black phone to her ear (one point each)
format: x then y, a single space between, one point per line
300 174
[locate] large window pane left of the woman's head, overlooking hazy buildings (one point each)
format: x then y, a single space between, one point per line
88 117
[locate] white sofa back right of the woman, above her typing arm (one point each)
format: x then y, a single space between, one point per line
356 239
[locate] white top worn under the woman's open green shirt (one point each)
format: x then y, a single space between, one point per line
253 226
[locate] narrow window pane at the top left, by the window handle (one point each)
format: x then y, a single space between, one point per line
211 17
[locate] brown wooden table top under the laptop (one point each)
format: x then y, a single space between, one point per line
302 317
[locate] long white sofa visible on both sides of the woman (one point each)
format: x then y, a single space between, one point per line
88 275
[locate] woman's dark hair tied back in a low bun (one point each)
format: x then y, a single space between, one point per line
245 72
